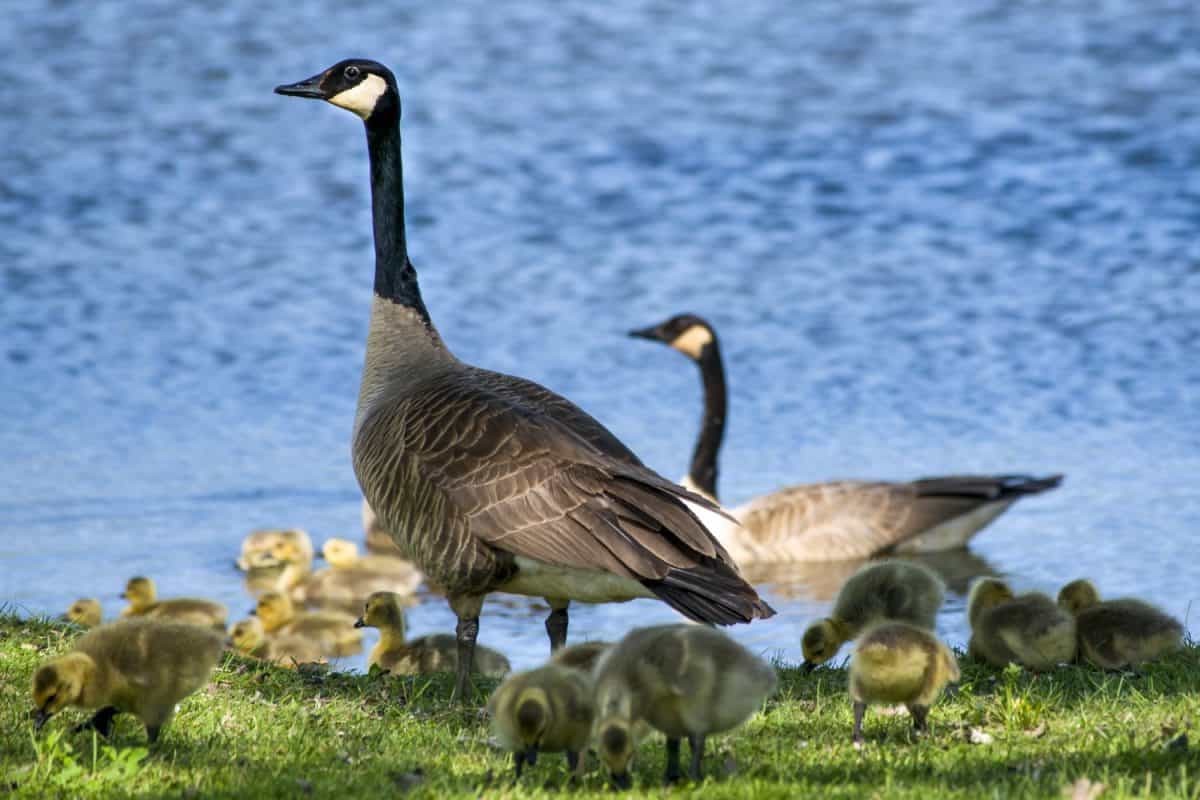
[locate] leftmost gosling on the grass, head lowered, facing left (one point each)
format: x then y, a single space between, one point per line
137 666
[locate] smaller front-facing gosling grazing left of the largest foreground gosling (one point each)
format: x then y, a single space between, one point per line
544 711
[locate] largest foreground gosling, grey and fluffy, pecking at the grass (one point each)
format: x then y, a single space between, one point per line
685 681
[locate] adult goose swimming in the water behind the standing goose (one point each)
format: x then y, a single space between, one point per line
836 520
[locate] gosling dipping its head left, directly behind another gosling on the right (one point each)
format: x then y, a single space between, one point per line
884 591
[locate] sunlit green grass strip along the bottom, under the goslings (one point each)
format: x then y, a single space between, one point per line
265 732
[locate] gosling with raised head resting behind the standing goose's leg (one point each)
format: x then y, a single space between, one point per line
425 654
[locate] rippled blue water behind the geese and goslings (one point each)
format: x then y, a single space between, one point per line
935 237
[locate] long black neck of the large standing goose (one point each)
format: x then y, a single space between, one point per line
395 276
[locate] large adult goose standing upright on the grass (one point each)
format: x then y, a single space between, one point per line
490 483
